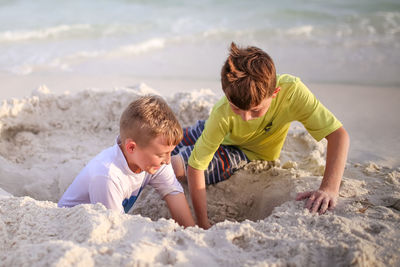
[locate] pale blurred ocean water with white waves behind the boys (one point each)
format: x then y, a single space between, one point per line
337 41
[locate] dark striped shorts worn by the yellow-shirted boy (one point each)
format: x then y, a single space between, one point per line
226 160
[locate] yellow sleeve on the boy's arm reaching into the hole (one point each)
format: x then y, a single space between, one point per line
215 130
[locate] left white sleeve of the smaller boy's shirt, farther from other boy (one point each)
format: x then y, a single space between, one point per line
103 190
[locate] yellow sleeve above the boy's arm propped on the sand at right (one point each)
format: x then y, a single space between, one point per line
308 110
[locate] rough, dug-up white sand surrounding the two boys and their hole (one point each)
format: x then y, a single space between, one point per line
46 139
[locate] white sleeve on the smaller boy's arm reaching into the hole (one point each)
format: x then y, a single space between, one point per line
164 181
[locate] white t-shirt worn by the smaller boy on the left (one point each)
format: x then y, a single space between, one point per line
107 179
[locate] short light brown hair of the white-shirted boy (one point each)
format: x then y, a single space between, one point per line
149 117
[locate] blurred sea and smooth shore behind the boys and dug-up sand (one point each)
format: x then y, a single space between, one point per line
351 46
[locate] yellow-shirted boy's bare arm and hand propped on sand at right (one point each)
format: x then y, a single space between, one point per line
326 197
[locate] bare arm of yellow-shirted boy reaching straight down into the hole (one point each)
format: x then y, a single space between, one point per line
197 189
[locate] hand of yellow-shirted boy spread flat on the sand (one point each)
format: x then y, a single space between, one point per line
318 200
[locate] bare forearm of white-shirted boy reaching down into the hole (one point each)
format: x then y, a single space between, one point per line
179 209
